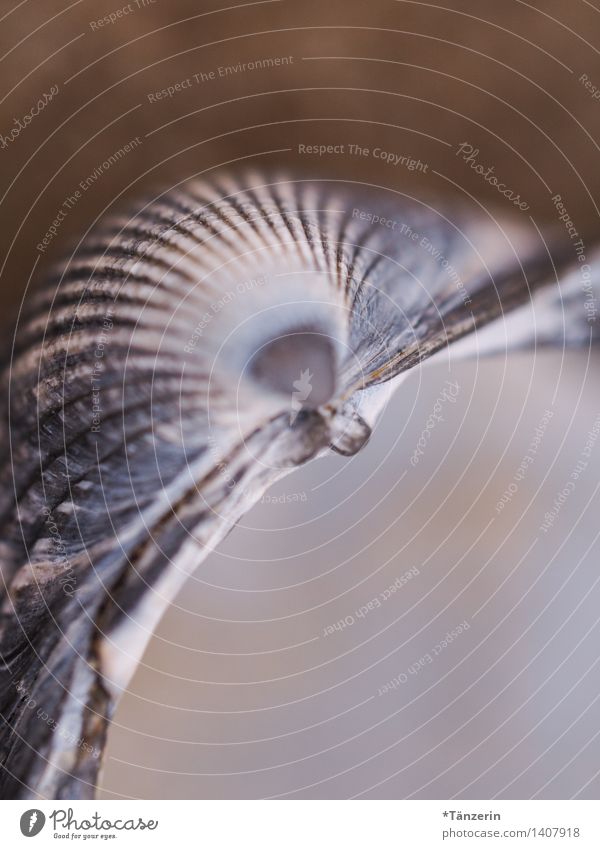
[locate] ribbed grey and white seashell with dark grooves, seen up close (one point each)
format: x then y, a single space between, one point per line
184 358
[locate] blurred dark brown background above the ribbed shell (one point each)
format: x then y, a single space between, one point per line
418 80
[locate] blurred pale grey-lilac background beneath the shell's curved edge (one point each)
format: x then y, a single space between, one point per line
240 694
